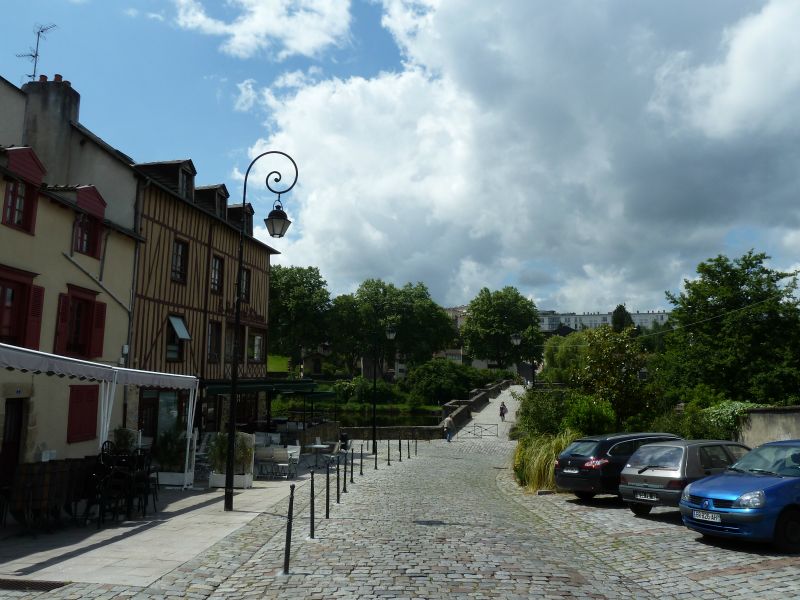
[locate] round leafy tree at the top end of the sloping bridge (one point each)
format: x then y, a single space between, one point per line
492 318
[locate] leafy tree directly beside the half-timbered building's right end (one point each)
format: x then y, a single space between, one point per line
299 301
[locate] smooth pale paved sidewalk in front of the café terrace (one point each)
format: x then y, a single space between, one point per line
140 551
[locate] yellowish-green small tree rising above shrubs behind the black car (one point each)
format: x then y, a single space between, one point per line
613 363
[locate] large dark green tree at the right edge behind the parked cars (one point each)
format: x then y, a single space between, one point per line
737 330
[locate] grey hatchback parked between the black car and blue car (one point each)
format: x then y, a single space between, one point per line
656 473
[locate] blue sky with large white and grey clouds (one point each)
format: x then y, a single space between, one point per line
587 152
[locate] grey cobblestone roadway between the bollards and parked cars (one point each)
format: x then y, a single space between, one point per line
451 523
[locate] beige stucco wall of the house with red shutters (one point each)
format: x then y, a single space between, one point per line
43 253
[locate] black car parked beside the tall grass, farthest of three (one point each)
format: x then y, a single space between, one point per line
592 465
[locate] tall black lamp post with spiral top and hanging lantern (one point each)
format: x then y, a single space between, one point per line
277 223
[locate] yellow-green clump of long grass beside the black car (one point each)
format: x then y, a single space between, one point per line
535 458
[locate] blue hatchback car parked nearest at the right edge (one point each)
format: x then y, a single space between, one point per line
757 498
